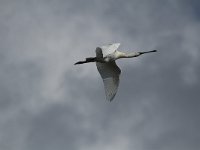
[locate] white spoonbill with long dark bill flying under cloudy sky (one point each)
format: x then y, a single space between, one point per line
109 71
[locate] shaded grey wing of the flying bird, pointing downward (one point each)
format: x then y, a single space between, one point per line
110 73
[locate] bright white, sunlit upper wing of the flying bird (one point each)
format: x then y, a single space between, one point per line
110 48
